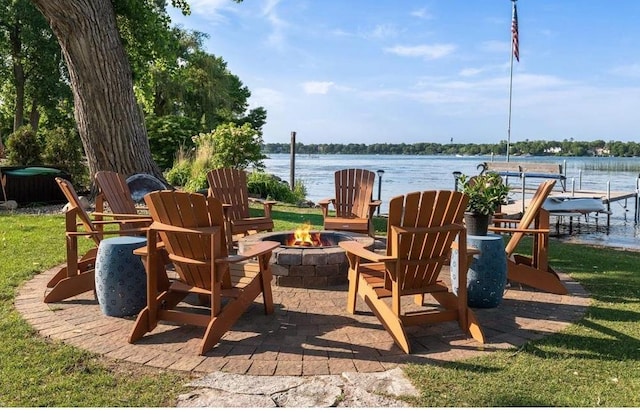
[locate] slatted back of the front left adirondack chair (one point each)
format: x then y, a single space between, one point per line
189 210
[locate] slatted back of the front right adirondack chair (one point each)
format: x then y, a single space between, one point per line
421 228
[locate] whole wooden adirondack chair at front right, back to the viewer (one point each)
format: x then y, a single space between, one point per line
422 230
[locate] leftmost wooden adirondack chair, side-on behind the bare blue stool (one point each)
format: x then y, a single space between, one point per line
78 274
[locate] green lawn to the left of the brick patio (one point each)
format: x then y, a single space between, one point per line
35 372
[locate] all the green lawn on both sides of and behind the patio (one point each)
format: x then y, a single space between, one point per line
593 363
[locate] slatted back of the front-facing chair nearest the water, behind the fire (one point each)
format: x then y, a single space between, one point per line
354 190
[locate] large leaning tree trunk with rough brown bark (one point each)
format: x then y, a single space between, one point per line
109 121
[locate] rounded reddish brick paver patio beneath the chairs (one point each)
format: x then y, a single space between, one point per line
310 332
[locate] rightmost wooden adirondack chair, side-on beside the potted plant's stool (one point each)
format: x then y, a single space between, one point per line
532 271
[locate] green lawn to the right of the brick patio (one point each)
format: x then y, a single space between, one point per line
593 363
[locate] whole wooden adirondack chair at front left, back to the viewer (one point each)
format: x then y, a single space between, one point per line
191 226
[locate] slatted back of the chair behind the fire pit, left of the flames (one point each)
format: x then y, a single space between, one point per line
229 185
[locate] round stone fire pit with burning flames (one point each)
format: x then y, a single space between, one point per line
313 262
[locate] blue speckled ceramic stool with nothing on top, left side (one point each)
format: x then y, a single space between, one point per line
121 280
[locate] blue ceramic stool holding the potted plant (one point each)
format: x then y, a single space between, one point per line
487 275
